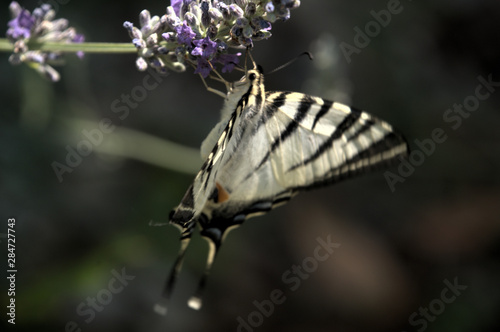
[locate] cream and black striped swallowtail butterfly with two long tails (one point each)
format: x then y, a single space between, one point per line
267 147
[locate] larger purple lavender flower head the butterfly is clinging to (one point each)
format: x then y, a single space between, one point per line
199 33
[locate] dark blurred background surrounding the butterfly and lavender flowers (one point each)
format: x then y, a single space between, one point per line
400 248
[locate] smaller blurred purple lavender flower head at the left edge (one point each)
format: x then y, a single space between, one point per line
39 26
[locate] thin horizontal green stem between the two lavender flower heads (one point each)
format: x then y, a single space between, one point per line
5 45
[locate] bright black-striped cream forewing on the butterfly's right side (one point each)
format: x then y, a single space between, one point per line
314 142
